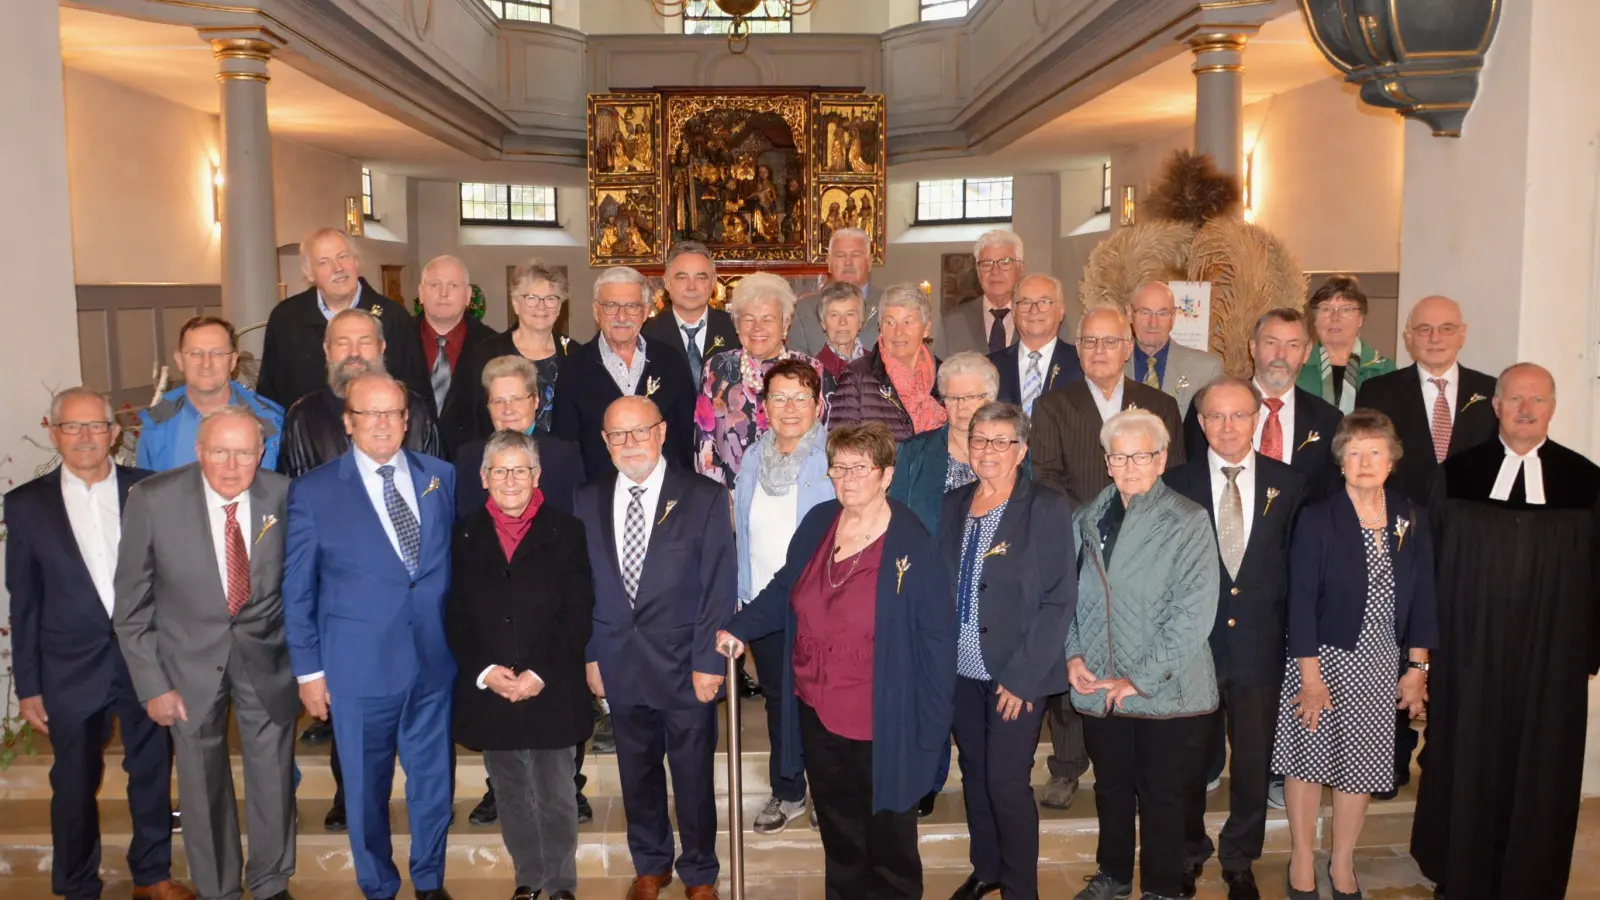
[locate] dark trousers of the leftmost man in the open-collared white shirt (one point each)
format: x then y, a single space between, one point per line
79 745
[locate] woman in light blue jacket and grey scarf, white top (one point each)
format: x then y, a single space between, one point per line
782 478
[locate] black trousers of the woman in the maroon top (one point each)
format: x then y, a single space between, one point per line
870 856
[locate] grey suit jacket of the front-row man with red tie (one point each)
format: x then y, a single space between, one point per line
172 606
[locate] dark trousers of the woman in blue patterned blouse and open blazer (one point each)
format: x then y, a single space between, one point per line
998 761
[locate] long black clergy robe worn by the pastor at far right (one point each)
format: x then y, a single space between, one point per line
1510 688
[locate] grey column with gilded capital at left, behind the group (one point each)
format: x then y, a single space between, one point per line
250 260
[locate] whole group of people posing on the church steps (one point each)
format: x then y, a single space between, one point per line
433 534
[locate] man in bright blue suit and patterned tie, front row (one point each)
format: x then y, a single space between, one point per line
367 571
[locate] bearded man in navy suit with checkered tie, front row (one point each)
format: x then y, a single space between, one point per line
666 579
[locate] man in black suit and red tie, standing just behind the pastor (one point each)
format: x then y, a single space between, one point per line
1441 409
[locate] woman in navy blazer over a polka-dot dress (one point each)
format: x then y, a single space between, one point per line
1362 622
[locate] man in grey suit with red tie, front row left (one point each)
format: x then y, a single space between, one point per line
201 622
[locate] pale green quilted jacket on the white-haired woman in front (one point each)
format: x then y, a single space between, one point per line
1150 617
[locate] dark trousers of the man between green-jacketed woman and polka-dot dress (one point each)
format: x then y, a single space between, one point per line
1249 721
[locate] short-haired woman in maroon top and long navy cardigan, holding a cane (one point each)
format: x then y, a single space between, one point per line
870 625
